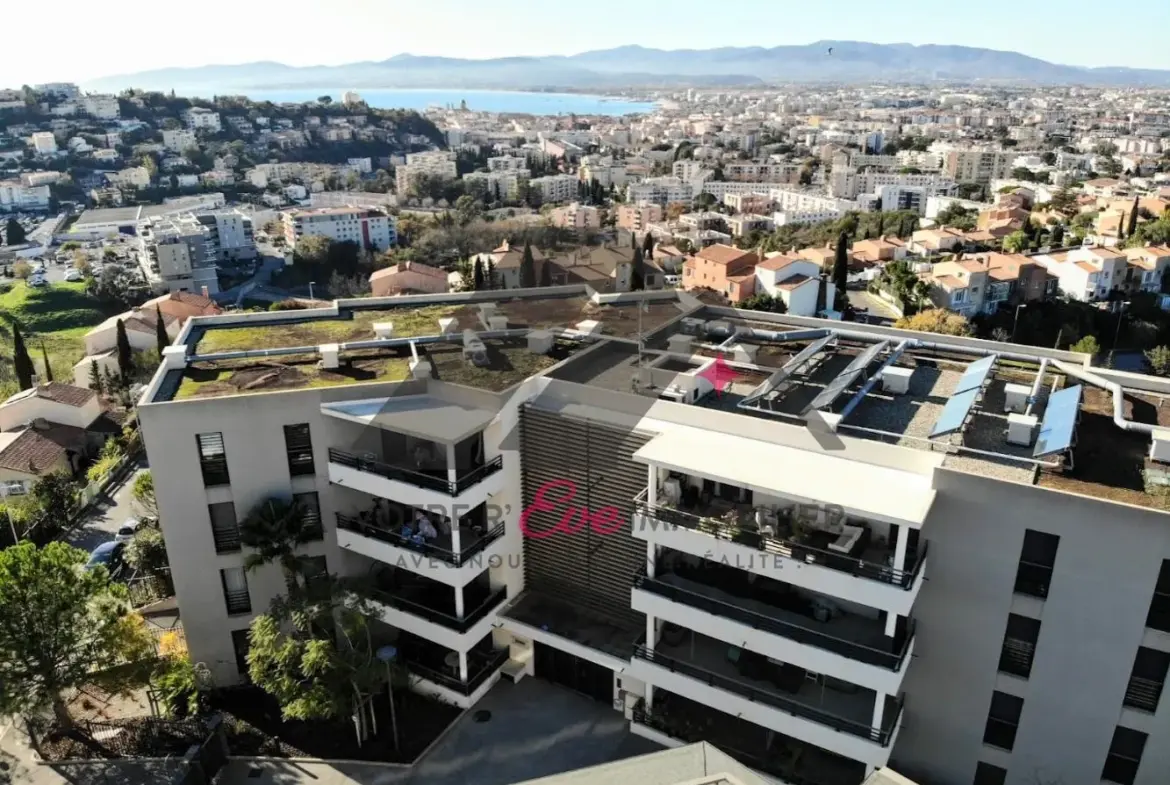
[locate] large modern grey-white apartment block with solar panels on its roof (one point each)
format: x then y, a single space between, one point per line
823 548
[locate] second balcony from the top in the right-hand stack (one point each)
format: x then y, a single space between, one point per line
783 625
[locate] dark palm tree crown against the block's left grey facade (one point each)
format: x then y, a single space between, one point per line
276 529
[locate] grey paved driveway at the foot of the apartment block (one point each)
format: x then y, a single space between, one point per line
536 729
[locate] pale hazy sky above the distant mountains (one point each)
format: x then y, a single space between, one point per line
85 40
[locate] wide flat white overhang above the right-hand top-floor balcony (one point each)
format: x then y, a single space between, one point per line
862 490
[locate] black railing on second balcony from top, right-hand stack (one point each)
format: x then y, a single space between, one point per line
766 623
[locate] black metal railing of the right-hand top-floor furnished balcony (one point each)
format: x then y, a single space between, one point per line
787 548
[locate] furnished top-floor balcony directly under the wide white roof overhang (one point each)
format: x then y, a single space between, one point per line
858 571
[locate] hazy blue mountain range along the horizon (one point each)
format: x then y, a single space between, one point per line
824 61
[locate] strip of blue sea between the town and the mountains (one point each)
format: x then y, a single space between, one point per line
486 101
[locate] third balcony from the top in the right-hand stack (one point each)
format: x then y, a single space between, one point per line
815 708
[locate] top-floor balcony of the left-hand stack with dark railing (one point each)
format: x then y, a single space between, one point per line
431 488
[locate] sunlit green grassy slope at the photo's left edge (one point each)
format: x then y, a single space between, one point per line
58 316
